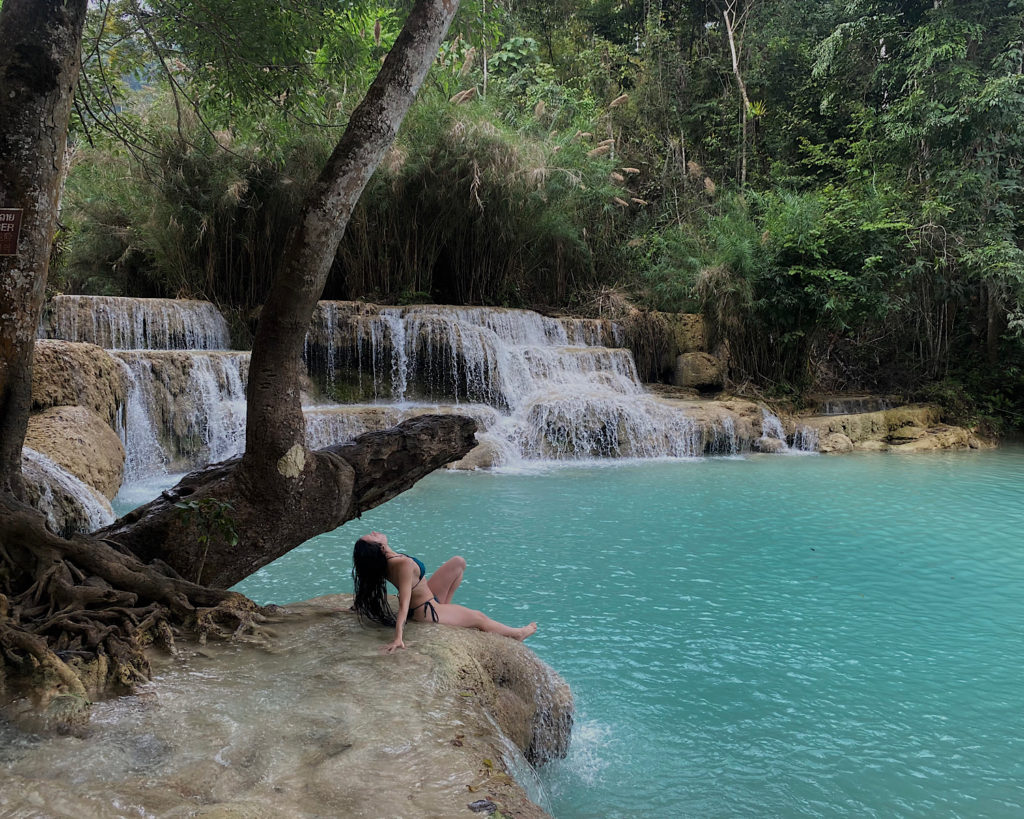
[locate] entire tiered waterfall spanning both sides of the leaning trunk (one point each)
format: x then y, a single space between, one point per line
540 389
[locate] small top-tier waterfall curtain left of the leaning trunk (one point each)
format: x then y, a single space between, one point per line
122 324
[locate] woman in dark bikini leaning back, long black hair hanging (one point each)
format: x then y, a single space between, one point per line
419 599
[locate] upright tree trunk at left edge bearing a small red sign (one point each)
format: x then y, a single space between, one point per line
40 41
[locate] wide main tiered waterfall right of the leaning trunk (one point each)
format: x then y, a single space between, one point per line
562 393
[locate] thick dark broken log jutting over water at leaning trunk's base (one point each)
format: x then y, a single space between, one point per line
345 482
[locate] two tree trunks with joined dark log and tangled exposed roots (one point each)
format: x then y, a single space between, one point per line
75 615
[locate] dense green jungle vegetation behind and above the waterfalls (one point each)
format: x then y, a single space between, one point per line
841 200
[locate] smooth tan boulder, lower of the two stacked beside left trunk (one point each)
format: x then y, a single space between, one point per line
79 441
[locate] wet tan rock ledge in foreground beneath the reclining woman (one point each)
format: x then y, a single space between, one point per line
312 721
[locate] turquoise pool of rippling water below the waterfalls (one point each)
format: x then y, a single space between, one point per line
764 637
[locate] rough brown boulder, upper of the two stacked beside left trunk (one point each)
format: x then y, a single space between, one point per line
70 374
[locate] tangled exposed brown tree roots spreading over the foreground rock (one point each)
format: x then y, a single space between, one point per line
77 616
